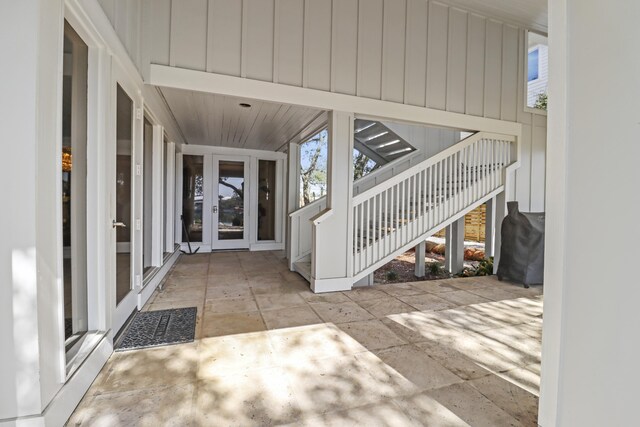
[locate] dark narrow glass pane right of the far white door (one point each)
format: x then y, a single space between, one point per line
266 200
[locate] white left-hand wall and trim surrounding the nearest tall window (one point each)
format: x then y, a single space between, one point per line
36 388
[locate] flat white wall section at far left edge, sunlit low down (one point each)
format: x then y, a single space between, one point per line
31 326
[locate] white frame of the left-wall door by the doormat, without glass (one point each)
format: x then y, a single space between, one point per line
124 309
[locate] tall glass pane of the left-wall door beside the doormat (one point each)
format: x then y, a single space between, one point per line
124 125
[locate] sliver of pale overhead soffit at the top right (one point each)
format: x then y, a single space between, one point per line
531 14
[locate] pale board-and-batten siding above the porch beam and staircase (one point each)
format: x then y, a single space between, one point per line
416 52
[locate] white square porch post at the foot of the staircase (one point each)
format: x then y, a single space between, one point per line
331 268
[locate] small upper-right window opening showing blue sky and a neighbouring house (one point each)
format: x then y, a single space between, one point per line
537 71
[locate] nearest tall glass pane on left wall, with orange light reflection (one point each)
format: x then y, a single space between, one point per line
74 185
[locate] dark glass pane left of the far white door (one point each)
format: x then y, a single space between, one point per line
192 197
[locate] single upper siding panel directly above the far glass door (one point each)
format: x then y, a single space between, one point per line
224 37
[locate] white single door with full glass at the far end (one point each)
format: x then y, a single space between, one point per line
230 202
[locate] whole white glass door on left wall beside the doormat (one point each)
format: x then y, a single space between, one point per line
124 177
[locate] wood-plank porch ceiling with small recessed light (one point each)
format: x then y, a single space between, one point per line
217 120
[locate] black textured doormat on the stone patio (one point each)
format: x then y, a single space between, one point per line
162 327
